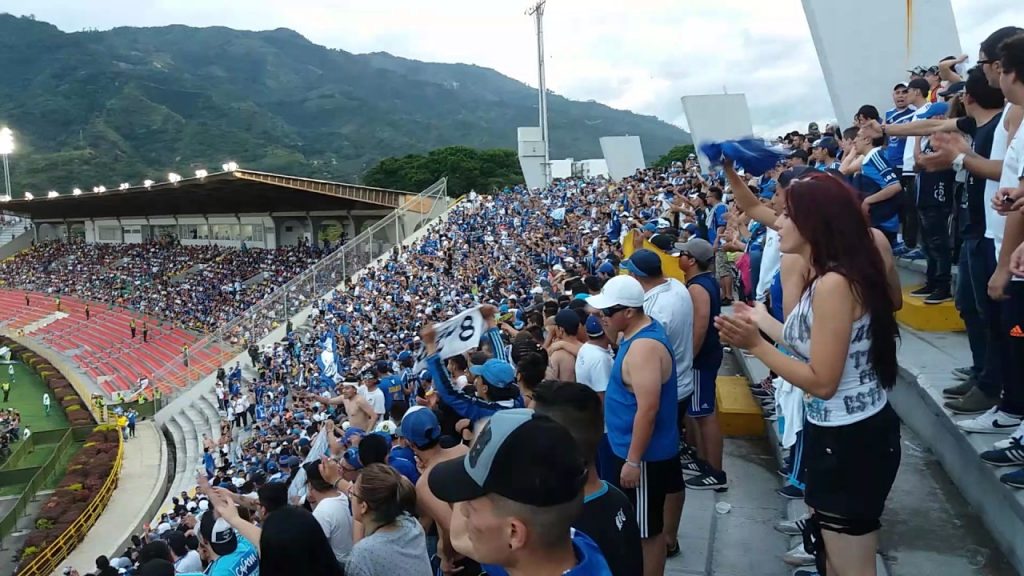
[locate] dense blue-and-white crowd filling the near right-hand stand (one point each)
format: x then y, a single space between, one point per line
595 376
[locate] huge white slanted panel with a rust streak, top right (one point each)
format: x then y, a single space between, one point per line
863 60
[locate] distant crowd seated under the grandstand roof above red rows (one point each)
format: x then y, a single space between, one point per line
198 287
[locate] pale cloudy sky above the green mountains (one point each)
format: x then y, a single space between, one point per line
639 56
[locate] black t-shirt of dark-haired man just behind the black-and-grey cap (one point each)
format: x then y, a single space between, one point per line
609 519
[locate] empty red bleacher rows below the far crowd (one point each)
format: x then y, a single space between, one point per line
103 346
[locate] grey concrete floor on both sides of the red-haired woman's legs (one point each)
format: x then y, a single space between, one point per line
928 528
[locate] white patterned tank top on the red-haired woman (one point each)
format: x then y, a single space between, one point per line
860 396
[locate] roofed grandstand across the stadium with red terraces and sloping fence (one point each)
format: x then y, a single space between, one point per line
272 243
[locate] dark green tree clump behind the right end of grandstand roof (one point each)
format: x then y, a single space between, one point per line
466 169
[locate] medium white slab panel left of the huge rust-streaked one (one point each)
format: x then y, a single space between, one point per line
717 117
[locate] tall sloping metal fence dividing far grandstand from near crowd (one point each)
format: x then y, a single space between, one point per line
276 310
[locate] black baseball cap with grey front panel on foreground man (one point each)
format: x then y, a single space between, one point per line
524 457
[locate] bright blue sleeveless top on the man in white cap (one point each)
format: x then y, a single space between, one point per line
621 404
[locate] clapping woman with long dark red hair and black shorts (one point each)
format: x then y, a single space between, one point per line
842 339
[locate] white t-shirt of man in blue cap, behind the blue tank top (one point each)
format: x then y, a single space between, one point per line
670 304
